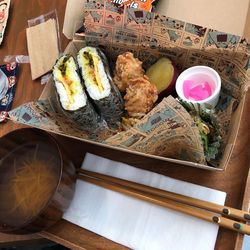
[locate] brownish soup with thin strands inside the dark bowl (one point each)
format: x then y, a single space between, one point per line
28 178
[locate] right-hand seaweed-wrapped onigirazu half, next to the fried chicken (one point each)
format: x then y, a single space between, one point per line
99 85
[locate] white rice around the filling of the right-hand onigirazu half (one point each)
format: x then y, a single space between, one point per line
93 90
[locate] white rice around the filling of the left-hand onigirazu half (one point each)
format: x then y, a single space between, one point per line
78 96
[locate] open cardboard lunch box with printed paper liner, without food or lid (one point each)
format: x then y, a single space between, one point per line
167 132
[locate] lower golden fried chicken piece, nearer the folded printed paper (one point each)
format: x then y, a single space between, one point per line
140 97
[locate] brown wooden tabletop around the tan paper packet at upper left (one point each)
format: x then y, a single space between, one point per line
15 43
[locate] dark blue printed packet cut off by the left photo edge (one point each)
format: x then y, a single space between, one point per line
8 82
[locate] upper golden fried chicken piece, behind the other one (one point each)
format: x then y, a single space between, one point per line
127 68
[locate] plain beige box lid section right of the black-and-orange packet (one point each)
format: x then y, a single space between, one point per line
228 16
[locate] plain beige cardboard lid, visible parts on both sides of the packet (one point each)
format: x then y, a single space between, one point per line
228 16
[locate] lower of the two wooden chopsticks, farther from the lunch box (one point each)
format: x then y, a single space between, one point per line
168 203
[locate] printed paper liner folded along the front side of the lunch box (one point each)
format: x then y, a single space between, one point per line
166 125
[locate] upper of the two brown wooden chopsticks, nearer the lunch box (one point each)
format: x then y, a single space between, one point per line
226 211
